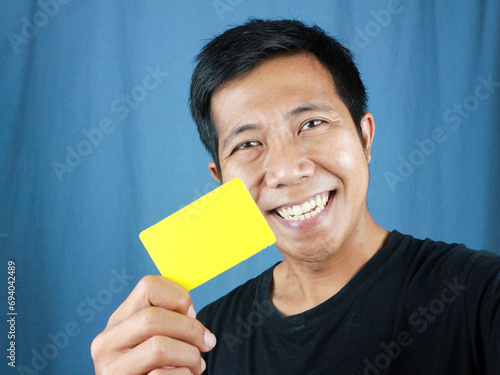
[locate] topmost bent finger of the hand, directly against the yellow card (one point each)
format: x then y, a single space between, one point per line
154 290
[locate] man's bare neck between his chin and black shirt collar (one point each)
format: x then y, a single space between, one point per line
300 285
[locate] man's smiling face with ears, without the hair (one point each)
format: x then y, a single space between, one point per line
286 133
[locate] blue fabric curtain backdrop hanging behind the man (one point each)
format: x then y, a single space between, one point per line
97 143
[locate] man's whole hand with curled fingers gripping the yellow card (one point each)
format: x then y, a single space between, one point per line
153 332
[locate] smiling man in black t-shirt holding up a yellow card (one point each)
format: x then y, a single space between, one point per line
281 105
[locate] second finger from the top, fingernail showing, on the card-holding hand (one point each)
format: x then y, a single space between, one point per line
155 321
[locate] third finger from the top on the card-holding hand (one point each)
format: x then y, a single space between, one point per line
156 352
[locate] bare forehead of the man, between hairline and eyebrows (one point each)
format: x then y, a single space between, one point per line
275 85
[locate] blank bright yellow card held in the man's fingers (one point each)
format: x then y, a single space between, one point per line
208 236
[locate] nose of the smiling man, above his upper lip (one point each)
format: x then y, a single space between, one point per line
287 166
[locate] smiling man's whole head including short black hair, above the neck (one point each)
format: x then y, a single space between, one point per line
287 117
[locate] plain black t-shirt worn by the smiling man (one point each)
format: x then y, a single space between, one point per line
417 307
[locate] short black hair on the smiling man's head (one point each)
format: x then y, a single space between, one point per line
240 49
